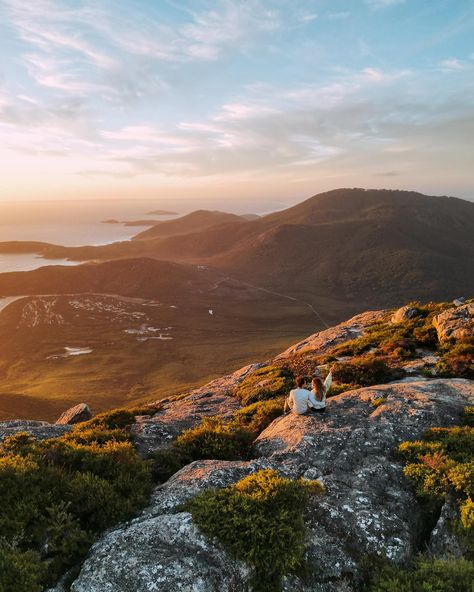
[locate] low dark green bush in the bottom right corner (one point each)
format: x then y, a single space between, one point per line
428 575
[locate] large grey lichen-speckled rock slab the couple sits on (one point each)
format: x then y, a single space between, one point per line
369 508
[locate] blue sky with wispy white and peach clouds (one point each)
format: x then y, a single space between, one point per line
261 99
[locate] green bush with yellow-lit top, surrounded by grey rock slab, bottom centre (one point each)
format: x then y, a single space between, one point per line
259 520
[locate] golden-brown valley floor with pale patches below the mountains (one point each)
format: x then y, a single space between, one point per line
109 350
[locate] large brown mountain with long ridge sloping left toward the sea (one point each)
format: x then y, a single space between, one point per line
370 247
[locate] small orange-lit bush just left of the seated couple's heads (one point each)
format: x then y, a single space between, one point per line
265 383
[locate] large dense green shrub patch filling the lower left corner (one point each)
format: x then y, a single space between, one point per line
58 495
